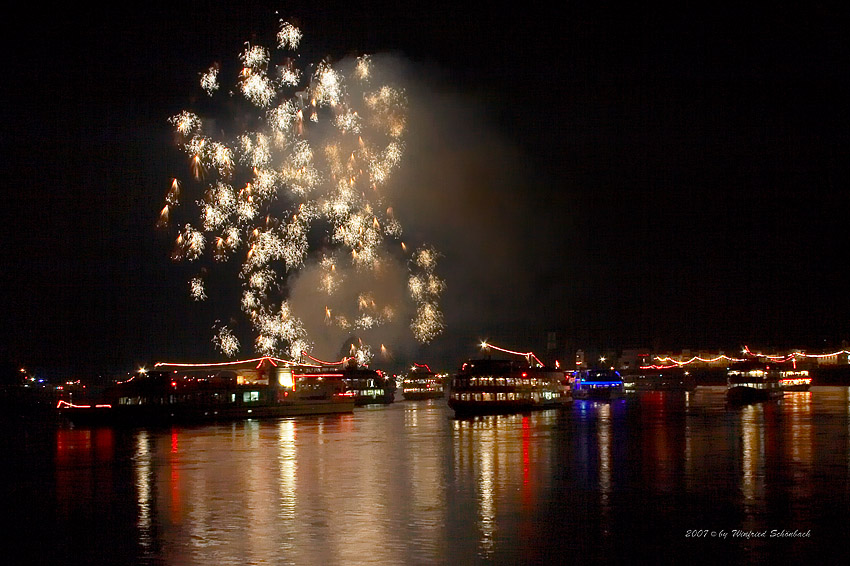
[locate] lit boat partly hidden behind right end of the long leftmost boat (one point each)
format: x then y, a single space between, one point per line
367 386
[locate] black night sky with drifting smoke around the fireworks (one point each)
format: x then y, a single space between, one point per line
668 179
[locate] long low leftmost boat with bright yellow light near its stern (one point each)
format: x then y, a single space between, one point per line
177 392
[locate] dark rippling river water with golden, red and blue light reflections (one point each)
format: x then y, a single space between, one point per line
654 478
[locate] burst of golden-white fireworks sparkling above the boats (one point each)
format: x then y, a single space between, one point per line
315 152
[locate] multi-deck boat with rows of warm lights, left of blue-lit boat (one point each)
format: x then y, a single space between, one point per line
486 386
